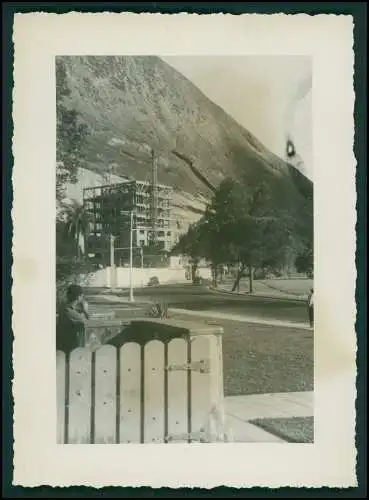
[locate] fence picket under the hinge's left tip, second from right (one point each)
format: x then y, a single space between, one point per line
177 392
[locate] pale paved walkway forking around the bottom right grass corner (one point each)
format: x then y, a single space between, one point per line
240 409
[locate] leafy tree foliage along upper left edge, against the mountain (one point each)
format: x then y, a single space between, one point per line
71 133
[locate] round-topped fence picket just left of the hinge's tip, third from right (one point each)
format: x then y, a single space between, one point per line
154 392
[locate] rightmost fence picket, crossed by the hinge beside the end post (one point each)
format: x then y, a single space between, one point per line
201 400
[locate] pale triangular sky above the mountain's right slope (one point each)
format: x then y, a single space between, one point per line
269 95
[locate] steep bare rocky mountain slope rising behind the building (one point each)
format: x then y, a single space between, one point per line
133 104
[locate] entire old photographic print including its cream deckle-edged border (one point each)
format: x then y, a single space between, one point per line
183 273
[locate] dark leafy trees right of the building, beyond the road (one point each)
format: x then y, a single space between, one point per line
243 228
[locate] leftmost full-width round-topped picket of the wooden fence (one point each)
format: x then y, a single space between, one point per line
80 371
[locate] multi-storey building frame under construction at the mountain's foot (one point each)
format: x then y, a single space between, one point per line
110 207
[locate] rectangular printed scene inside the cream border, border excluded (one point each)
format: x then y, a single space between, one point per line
184 249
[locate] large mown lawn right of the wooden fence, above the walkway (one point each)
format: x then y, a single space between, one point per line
258 358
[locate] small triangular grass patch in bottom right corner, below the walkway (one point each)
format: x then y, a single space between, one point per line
293 430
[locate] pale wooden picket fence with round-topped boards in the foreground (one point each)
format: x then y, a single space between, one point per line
156 391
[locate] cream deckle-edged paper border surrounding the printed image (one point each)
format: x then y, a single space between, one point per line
37 460
